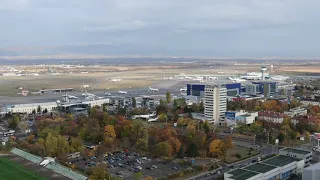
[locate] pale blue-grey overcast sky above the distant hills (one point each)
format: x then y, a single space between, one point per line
172 27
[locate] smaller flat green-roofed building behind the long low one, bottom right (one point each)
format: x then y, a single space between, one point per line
297 153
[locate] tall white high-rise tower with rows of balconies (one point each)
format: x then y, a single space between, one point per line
215 103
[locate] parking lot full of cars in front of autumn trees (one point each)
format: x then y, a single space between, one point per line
126 164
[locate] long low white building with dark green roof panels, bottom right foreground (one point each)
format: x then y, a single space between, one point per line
278 167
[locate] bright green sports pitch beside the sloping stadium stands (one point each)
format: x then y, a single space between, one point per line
12 171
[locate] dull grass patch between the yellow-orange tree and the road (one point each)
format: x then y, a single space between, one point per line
243 151
